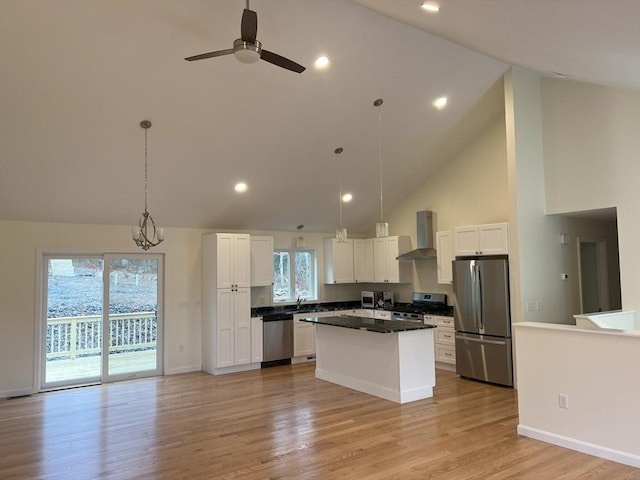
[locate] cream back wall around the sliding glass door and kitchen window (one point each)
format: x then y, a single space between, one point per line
20 243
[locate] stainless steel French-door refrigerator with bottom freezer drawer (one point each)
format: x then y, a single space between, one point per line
482 319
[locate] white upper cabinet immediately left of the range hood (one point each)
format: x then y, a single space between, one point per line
386 269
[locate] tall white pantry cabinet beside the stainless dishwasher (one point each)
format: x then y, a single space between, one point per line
226 301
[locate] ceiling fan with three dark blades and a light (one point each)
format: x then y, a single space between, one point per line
249 50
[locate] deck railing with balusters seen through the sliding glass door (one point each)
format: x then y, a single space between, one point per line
70 337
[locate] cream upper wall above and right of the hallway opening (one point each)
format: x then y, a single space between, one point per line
592 161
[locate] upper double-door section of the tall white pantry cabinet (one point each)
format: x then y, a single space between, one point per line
233 259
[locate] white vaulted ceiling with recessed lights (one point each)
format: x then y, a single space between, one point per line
76 78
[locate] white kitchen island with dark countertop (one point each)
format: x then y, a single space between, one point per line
391 359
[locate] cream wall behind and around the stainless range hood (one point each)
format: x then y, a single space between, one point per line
468 189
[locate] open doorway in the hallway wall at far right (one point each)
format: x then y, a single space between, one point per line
593 276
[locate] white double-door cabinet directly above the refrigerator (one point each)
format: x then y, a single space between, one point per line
490 239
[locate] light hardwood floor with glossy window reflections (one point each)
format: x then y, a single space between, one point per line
277 423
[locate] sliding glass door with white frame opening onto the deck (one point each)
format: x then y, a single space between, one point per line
102 318
